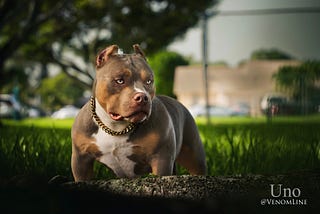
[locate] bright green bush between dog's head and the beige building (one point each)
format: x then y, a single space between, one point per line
163 64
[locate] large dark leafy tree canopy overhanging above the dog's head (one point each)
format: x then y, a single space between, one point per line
69 33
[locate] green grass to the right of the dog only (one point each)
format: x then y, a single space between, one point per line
261 148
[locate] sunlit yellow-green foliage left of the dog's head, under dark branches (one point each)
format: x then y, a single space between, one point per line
59 91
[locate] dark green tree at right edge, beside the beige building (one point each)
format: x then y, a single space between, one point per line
300 83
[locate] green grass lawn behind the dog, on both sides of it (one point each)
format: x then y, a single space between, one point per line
233 146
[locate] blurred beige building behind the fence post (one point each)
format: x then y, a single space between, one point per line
246 84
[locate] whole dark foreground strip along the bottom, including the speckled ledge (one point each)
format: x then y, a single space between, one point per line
168 194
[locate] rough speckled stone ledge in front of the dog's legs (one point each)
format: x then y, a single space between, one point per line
202 187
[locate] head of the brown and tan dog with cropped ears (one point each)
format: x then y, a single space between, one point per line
124 84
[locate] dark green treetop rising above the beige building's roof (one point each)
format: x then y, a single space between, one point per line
269 54
